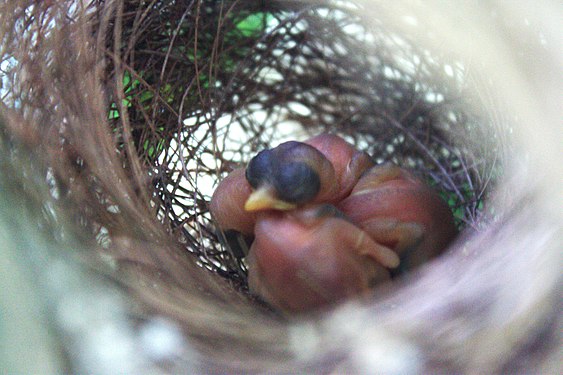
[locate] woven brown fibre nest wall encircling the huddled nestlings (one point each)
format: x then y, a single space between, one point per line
120 117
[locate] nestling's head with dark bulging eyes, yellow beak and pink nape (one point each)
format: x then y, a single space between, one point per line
323 169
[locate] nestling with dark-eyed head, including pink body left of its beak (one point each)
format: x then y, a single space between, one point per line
323 169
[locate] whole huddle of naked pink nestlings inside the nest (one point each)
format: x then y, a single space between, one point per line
328 224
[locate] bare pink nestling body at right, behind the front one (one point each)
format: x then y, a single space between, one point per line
399 211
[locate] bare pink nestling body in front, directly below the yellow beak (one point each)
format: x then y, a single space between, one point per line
313 257
